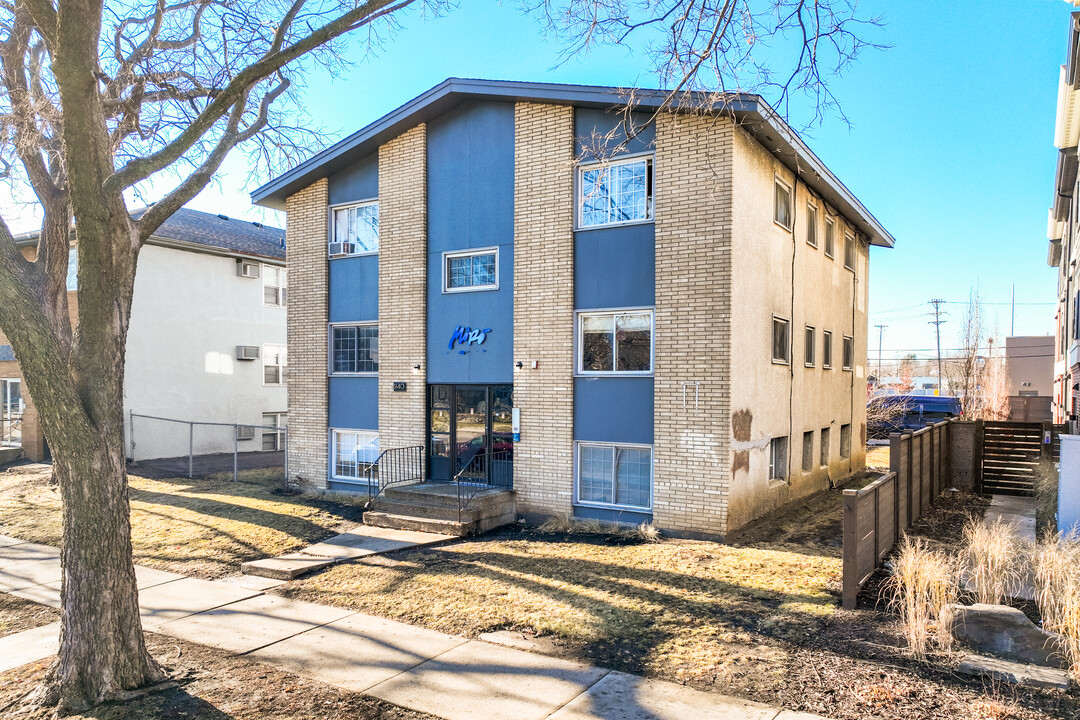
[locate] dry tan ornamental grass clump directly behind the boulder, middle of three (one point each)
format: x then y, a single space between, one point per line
991 561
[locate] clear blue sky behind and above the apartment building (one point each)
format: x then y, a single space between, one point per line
951 145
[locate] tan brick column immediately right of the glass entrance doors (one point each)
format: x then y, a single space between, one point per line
544 306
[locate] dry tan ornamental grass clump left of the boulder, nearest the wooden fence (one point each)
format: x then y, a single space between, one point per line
922 586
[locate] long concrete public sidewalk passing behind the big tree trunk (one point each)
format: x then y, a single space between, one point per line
413 668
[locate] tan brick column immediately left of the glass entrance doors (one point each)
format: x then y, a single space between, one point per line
403 289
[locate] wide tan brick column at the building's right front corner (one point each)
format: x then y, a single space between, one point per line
693 344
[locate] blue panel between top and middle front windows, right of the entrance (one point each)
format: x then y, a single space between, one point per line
615 267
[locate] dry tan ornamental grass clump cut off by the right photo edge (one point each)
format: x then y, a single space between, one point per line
1057 562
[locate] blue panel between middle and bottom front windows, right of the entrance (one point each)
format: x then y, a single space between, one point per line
617 410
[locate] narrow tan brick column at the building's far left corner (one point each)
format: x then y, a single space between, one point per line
306 239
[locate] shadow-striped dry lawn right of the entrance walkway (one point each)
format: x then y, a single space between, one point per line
625 614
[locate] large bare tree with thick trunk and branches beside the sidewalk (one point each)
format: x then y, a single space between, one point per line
101 100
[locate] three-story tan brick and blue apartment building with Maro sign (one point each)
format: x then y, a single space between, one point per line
679 324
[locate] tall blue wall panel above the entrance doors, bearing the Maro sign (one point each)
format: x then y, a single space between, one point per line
471 206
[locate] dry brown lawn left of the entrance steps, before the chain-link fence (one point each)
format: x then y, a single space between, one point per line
197 527
